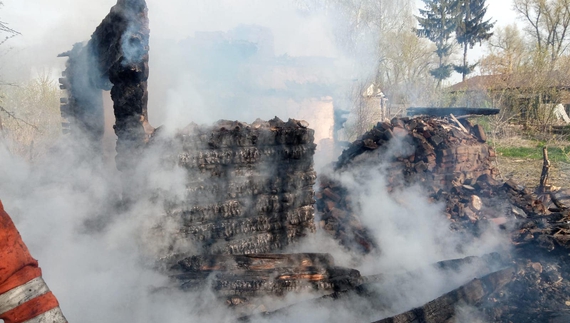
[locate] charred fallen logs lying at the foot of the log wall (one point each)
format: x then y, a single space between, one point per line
245 279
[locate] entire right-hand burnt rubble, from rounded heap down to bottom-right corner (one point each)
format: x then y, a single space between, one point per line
454 165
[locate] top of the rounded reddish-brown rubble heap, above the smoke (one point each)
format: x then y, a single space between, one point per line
433 151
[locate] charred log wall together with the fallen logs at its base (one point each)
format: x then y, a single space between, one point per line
249 193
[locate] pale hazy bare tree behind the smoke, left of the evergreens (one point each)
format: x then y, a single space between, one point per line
377 36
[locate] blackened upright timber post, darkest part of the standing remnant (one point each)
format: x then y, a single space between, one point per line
121 43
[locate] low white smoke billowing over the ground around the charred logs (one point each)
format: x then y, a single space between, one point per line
101 260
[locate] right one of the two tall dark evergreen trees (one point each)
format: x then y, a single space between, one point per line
471 29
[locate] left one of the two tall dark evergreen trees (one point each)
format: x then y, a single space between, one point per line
438 21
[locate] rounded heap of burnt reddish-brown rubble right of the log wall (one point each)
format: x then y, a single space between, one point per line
451 161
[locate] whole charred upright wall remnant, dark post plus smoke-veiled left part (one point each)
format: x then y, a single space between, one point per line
115 59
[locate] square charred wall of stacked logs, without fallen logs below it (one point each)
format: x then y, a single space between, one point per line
249 186
